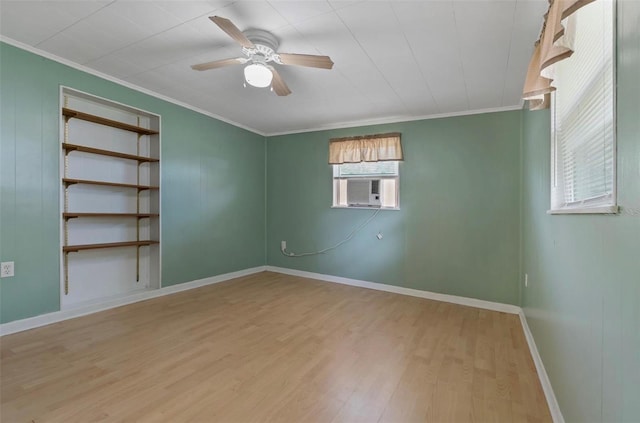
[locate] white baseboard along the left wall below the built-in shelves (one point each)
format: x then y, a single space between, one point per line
58 316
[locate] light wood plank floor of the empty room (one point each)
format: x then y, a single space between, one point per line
271 347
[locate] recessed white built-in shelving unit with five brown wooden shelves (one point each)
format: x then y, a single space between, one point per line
110 196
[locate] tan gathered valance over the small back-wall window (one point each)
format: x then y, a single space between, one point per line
368 148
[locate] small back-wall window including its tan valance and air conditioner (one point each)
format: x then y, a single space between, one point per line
366 170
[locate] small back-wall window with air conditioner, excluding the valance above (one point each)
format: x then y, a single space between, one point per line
366 184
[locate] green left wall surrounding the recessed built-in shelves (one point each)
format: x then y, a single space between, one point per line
212 185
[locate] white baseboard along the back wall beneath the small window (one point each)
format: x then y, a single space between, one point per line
471 302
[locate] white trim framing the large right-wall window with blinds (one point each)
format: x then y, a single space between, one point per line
582 207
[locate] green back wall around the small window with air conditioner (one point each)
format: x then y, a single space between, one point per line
458 228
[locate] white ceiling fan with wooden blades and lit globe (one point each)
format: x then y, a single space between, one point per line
260 47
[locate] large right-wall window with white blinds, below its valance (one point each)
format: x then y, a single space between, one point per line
583 117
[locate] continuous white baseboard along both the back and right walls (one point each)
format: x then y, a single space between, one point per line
552 402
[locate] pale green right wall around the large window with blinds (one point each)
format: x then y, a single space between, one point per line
583 299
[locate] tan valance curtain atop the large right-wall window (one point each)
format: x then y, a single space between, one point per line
555 44
